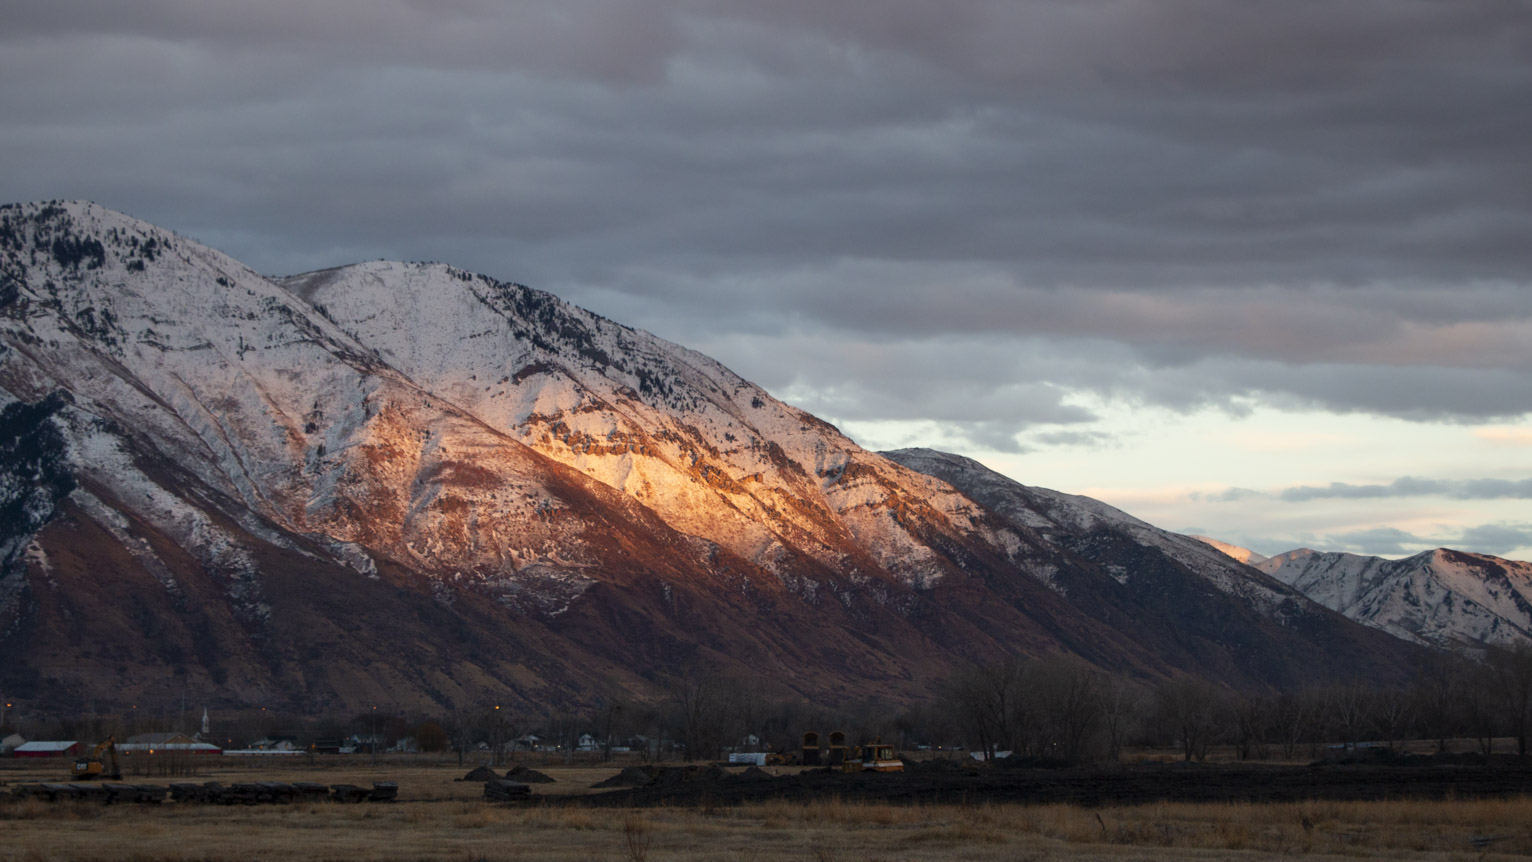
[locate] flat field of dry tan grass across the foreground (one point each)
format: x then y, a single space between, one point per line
442 820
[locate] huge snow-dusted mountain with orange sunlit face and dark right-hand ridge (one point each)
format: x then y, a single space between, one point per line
410 485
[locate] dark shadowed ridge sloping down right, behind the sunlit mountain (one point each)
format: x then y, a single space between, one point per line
1171 593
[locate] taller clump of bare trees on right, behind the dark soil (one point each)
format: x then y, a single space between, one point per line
1066 710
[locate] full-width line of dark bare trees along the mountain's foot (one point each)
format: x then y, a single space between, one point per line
1055 708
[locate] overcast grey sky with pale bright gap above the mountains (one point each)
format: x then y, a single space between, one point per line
1257 270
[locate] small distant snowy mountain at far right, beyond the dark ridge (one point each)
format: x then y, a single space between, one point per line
1441 598
